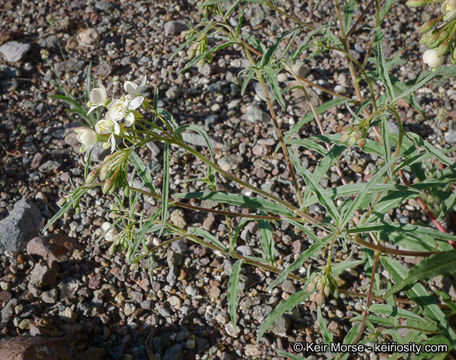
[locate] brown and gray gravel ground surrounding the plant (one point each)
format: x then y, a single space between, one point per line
71 285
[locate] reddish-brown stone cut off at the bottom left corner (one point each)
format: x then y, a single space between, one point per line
36 348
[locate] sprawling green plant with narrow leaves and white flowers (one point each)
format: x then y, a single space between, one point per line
359 217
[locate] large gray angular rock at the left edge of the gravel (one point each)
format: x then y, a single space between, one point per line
22 224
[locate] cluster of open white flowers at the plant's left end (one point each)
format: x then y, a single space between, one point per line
119 110
